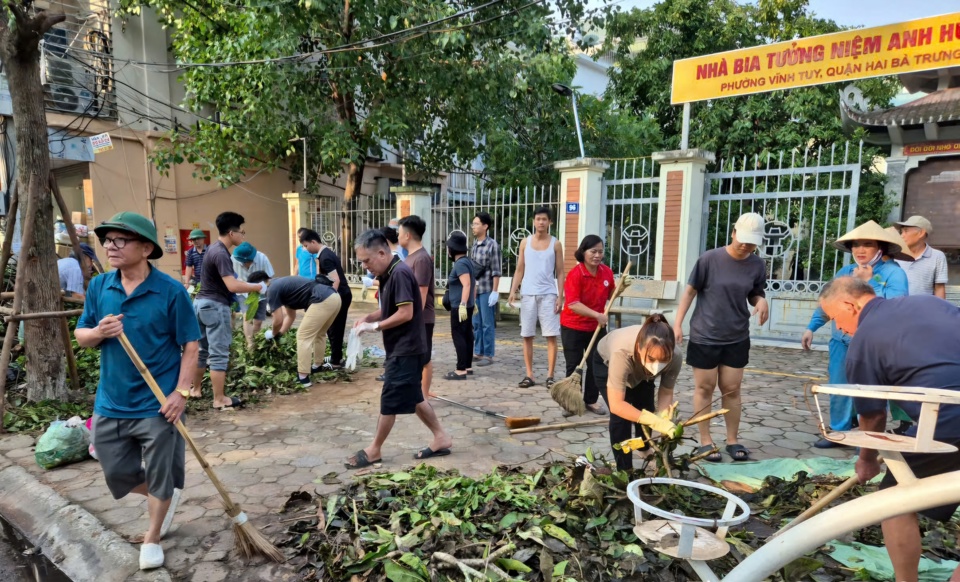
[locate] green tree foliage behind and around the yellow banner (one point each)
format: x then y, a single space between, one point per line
648 41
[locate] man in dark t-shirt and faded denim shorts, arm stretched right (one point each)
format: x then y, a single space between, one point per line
218 283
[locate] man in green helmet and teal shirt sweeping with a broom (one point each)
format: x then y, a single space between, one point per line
129 424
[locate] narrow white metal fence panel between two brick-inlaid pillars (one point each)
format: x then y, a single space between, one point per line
631 190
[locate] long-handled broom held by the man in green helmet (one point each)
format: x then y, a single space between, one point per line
248 540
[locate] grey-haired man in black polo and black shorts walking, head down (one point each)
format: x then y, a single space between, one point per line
400 318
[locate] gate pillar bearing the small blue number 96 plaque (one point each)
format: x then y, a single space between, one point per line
581 204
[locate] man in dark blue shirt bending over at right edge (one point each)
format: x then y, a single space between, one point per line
907 341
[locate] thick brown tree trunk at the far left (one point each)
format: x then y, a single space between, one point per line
44 349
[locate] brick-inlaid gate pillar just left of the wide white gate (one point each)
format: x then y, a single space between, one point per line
679 213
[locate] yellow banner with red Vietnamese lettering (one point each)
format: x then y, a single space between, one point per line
917 45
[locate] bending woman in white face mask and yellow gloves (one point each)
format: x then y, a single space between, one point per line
631 359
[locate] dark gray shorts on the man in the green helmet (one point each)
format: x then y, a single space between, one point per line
124 443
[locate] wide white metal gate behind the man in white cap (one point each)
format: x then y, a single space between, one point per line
809 199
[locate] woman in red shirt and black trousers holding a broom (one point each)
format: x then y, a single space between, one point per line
587 289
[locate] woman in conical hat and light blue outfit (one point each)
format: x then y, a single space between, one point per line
873 250
